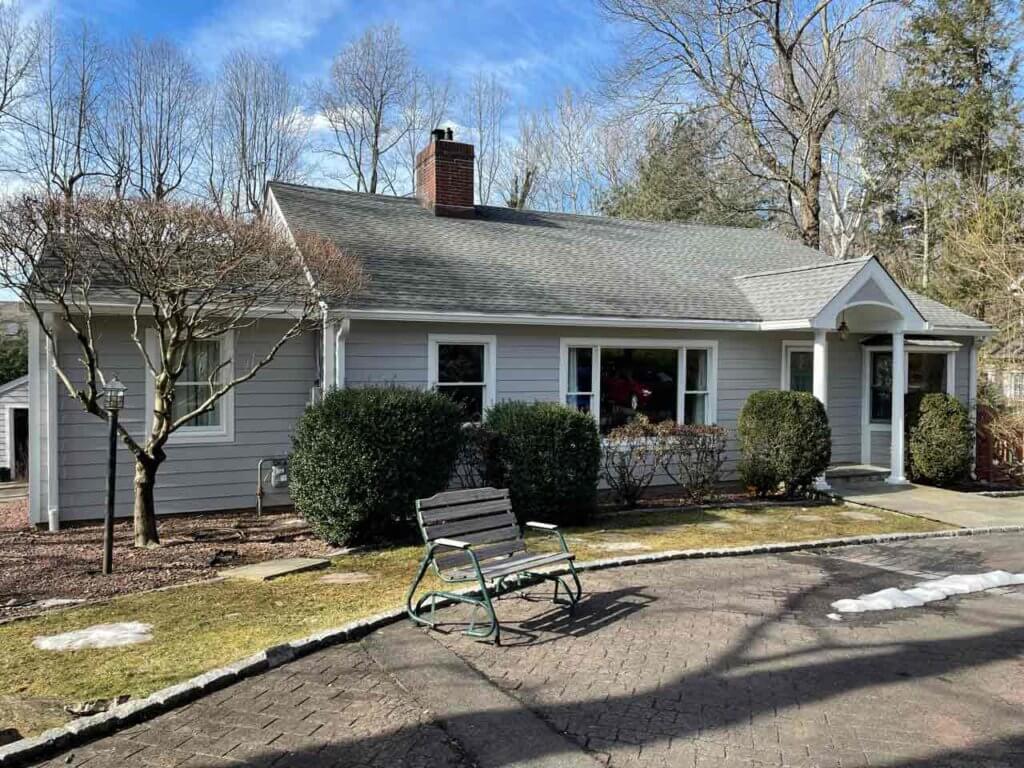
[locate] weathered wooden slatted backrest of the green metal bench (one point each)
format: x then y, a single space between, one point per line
482 517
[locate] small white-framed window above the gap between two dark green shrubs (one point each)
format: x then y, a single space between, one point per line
462 368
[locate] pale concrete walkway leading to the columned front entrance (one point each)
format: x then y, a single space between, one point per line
956 508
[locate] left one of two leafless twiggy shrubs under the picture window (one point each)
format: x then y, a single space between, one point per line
631 457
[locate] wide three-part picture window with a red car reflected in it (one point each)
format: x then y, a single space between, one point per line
619 381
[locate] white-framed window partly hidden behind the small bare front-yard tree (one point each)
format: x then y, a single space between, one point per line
205 359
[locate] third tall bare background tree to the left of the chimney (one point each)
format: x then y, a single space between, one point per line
160 98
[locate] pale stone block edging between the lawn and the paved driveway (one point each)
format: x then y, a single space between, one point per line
86 730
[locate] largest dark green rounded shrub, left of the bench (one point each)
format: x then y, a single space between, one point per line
362 457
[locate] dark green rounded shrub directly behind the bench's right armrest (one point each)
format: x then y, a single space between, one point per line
548 456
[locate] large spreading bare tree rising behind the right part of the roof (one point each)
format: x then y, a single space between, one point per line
778 69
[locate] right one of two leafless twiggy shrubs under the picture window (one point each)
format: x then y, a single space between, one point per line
693 458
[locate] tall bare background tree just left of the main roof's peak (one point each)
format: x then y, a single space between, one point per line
257 134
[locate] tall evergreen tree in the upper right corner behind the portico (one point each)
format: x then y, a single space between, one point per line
949 129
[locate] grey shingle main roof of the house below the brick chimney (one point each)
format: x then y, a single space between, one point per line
506 262
